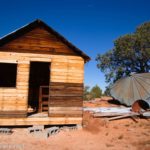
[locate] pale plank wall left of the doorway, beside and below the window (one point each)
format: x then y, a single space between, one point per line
13 101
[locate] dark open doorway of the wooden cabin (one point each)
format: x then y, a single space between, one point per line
39 76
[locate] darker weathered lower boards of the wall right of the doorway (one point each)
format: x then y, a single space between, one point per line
66 99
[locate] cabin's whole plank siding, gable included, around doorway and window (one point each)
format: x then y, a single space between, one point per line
66 75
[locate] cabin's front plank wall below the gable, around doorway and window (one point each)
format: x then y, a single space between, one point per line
66 78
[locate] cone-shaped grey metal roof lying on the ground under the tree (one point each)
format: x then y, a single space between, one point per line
132 88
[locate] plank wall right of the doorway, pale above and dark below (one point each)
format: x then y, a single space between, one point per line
66 88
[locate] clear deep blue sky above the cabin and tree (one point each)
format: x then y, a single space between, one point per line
91 25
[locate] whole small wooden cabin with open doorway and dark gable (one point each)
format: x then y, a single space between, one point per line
41 77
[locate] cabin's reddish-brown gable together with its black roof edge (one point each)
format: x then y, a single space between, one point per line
39 36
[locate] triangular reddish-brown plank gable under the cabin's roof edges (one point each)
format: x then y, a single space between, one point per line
39 40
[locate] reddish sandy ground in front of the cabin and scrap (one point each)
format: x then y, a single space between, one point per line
97 134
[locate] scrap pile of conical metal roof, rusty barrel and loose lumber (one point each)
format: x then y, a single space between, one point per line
133 91
